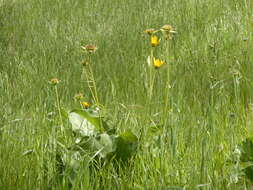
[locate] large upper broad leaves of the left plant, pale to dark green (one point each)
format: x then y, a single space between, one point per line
94 138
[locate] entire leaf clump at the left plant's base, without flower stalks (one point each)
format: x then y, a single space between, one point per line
94 140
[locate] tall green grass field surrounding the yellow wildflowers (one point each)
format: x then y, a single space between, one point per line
209 94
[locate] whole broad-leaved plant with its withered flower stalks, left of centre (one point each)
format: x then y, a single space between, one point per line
93 137
